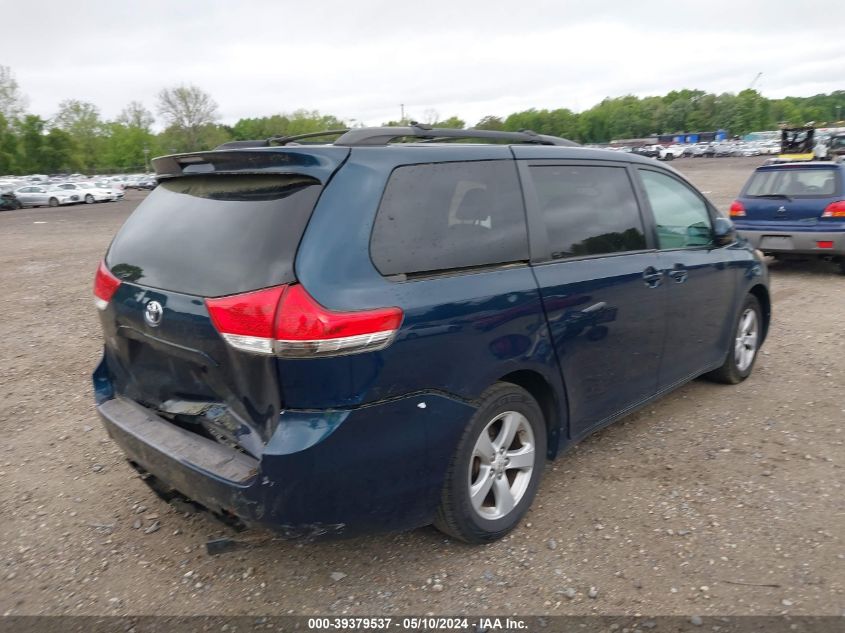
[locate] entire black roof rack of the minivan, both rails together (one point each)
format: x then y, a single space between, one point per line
379 136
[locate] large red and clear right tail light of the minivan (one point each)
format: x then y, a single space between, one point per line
288 322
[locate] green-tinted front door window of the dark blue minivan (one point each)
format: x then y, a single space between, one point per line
680 215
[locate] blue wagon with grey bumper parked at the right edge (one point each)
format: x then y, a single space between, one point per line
794 209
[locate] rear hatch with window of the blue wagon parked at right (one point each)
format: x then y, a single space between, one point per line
789 196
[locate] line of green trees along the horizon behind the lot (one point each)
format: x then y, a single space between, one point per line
78 139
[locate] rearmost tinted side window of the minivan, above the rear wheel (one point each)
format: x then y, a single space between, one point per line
443 216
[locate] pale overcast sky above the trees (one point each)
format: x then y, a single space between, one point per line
360 59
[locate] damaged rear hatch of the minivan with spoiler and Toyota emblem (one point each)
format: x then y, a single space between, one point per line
218 224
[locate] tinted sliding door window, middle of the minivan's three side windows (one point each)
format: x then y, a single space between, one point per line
588 210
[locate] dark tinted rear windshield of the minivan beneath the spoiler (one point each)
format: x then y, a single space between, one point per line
215 235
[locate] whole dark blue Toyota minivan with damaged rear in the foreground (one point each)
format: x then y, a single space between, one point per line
395 329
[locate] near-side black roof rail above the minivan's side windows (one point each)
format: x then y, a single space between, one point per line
375 136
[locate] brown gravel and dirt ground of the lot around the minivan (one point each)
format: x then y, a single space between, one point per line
715 500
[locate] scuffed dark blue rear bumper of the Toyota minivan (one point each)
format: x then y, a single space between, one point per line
375 468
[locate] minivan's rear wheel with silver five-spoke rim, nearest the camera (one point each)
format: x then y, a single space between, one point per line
496 470
